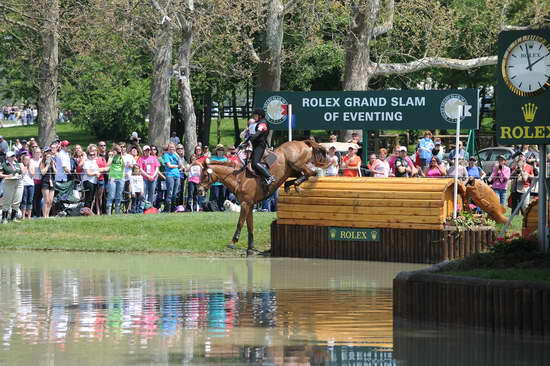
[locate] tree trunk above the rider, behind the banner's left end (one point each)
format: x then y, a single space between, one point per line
269 73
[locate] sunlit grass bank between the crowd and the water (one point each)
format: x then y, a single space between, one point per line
198 233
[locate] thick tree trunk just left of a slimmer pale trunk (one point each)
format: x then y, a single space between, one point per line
159 110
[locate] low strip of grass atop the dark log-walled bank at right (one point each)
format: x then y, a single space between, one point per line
524 274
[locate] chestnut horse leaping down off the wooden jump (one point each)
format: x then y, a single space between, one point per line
292 160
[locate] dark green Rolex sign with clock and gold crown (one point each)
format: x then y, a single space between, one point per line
523 83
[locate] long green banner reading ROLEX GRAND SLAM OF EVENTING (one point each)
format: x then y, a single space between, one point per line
369 110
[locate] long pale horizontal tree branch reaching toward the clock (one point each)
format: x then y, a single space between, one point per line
429 62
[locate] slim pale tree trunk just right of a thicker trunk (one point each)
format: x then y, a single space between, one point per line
186 99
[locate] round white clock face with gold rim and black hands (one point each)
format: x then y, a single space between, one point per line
526 65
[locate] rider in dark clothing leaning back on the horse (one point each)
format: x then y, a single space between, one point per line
257 135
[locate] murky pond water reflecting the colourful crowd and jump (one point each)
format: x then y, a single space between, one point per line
60 308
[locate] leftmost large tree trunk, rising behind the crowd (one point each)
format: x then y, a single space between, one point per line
47 99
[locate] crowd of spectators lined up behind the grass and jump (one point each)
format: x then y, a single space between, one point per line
67 179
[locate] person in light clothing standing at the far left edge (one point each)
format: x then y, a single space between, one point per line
11 174
